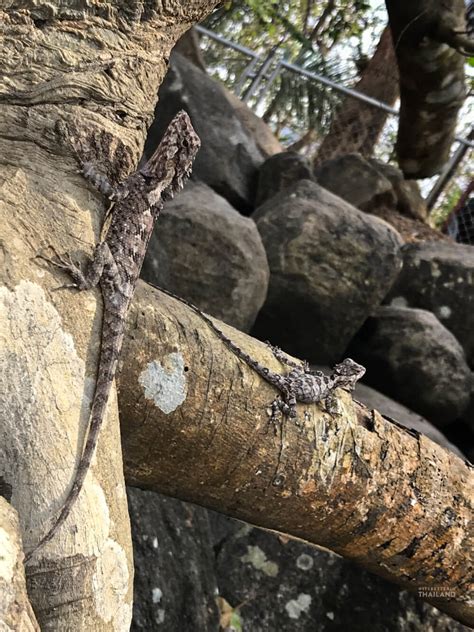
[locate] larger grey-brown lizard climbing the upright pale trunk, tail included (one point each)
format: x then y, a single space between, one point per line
117 263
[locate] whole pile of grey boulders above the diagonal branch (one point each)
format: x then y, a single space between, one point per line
315 268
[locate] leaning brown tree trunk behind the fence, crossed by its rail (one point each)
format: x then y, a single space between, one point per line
356 126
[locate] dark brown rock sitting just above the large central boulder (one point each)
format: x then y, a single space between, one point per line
355 180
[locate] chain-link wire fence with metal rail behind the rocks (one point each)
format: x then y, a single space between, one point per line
312 111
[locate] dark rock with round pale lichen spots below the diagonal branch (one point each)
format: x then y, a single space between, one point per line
290 586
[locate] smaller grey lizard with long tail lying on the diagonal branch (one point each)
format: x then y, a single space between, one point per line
300 384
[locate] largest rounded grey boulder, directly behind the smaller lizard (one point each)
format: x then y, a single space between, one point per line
330 265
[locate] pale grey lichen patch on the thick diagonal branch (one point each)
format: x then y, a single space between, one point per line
165 384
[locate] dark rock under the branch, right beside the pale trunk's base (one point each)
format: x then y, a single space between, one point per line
175 582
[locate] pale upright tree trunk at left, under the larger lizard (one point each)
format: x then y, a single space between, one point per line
98 66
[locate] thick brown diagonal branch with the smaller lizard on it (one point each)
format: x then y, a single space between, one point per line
195 426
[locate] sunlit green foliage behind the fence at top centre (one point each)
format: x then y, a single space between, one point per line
304 32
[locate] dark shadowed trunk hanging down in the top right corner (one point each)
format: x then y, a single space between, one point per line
427 35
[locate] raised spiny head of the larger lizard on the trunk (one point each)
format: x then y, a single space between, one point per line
171 163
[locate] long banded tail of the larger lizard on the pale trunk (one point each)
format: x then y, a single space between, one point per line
110 351
